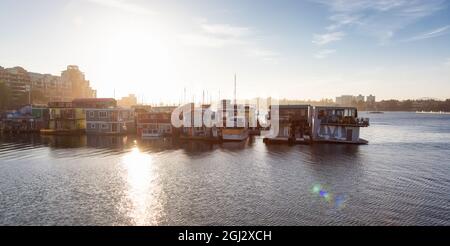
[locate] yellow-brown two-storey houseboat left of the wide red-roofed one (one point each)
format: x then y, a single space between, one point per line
65 119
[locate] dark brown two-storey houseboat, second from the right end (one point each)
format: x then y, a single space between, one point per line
294 124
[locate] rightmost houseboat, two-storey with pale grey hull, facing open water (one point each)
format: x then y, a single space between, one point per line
338 125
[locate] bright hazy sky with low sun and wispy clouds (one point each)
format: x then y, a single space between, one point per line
310 49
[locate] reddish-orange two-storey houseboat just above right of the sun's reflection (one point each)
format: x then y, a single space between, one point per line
154 123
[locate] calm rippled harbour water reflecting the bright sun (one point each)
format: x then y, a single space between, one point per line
401 178
